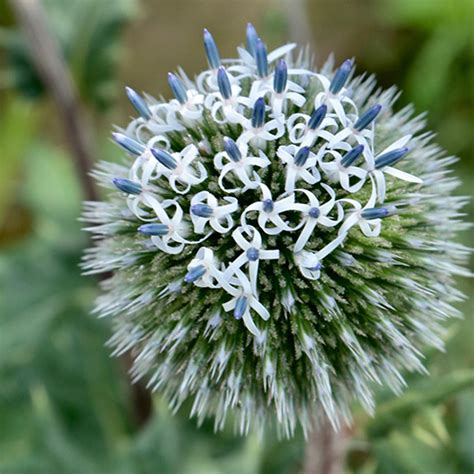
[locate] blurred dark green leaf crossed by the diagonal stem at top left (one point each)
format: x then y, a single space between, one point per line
88 33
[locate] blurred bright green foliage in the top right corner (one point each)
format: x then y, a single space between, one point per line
440 75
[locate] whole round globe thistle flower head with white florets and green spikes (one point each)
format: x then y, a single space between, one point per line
280 240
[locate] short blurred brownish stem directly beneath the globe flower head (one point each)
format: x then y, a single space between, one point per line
326 449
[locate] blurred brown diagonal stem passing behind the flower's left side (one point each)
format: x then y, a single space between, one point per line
47 58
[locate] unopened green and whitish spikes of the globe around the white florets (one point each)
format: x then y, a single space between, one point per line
378 303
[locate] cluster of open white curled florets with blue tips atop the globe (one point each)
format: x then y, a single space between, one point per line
327 157
